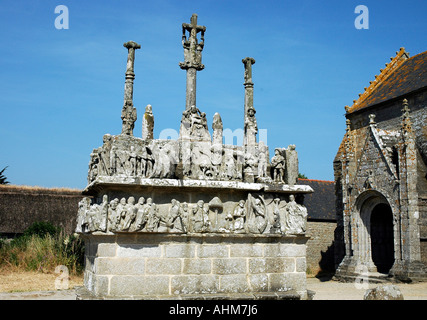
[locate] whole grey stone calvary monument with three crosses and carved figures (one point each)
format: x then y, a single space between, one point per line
193 217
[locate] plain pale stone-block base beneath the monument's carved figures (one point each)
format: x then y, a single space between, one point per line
146 266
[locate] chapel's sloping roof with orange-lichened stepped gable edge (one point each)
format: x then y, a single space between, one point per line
401 76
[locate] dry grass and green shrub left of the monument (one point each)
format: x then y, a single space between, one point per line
35 260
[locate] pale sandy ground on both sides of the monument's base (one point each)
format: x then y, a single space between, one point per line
41 286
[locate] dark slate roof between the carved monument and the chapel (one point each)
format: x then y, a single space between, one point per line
321 203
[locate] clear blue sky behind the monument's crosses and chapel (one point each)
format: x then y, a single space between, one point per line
62 90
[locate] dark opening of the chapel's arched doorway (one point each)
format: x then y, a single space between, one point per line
382 240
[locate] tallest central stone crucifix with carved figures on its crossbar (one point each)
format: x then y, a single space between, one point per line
192 57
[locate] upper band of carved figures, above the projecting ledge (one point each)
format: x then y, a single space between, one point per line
200 160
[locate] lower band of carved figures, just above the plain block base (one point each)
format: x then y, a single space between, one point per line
254 215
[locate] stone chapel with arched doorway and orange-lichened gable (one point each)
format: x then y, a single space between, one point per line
380 176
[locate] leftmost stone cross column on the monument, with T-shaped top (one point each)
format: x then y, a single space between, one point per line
128 111
